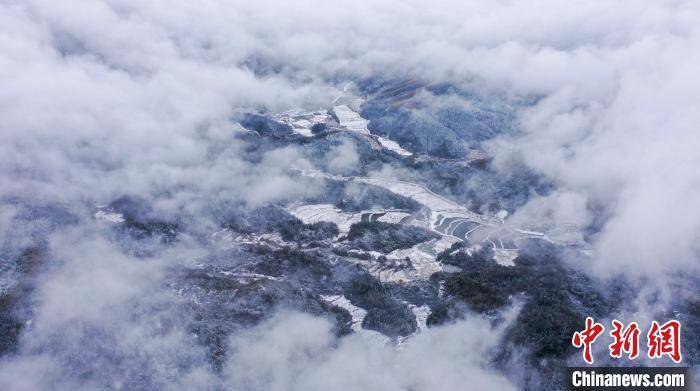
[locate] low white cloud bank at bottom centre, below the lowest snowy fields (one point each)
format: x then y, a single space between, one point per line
297 352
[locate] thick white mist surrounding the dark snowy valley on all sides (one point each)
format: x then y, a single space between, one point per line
142 98
